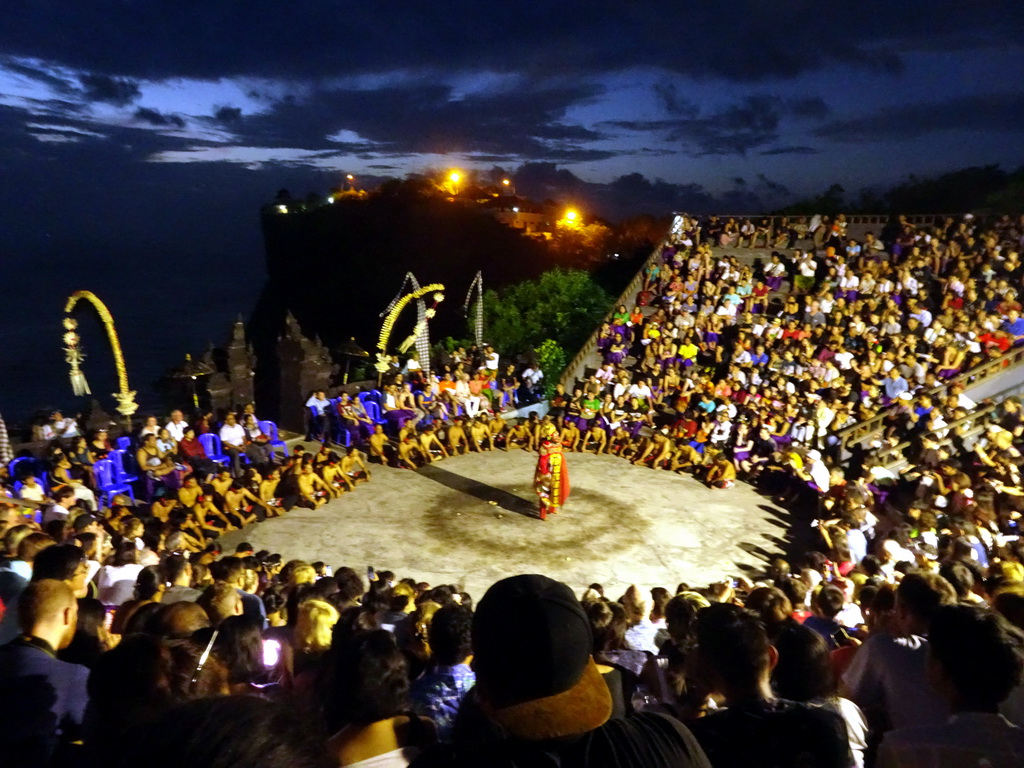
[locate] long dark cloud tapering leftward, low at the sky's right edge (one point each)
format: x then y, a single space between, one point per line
991 113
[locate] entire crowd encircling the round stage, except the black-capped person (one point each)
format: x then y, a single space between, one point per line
894 638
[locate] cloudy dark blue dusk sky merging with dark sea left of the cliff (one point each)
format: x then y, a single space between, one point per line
138 140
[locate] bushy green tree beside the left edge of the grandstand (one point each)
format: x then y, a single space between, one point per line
564 306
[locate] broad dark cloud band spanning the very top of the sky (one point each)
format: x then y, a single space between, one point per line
752 41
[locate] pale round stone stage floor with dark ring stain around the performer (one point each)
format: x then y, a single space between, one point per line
622 525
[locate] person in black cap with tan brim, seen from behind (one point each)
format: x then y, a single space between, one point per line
537 681
